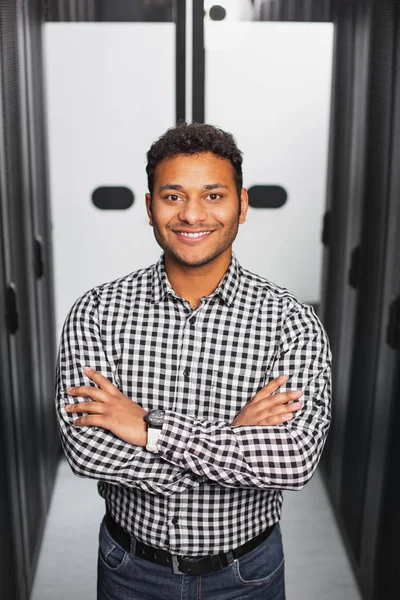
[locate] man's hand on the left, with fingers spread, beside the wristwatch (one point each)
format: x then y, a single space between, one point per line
110 409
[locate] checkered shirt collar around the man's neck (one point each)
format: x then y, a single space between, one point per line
226 288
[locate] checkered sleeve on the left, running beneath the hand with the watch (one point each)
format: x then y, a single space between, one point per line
96 452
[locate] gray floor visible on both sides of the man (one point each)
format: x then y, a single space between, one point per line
316 563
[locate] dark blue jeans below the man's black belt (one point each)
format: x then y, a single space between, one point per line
258 575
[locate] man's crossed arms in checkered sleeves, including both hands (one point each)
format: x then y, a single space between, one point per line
270 444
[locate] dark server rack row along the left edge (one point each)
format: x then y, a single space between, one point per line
30 446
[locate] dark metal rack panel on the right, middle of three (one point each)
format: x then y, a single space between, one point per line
370 299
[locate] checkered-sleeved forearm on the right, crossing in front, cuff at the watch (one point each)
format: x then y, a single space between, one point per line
283 457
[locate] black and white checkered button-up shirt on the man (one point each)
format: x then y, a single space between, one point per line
211 487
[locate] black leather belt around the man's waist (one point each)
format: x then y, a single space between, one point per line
181 565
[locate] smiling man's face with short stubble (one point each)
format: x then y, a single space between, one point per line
195 208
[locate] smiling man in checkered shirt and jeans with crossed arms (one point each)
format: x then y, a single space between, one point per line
189 375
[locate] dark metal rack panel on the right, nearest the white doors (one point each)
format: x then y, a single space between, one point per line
342 234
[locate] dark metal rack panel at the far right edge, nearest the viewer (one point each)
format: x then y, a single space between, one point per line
382 516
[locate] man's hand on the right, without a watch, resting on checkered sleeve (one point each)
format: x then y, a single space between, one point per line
265 409
